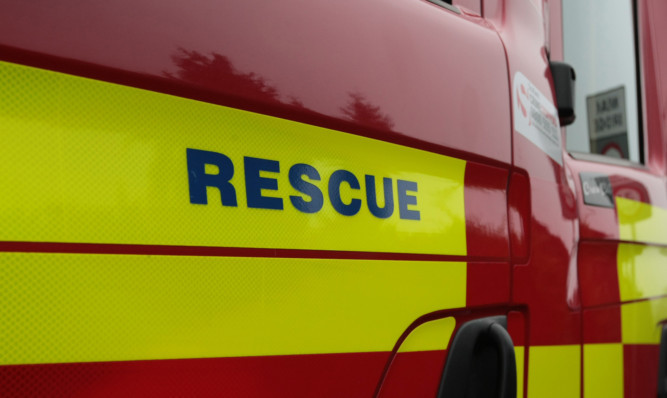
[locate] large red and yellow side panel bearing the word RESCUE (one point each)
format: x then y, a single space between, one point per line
173 227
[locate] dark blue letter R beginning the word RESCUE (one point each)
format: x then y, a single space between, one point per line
199 180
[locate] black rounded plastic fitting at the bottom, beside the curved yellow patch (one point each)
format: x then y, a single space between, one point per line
481 361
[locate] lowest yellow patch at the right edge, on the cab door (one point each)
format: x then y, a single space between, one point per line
640 321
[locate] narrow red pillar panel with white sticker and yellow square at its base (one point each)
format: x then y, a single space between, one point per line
545 279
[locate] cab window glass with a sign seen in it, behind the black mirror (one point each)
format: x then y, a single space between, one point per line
599 42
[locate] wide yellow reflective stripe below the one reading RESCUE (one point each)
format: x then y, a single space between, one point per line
86 307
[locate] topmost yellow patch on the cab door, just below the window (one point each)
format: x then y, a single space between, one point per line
641 222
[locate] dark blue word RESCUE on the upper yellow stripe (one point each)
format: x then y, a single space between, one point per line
303 178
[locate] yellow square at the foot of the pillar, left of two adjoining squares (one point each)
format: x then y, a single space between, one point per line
554 371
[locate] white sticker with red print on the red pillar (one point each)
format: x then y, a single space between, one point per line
536 118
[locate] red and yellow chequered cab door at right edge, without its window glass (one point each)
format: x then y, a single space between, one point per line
622 246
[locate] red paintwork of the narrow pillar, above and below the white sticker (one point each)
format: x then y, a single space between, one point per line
546 280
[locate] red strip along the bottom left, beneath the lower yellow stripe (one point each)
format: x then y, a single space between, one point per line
333 375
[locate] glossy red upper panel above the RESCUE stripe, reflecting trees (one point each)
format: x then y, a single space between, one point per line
389 53
